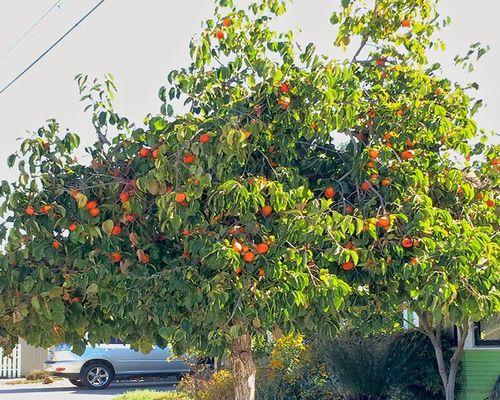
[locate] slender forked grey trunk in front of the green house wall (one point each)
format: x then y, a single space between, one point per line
448 377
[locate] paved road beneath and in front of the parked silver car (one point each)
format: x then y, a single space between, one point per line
63 390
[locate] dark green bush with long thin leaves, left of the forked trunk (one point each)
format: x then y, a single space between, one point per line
381 367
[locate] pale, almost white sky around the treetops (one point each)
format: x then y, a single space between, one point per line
141 41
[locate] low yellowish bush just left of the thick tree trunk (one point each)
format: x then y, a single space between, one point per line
220 386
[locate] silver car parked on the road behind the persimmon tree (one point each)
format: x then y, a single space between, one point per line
99 365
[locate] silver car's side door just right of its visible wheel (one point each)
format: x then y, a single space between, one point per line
125 360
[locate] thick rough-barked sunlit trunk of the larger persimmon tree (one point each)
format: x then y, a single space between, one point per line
243 368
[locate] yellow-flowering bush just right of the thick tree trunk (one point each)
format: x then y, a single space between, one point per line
292 372
